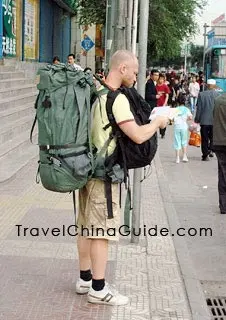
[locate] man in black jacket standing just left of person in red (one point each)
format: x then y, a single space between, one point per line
151 94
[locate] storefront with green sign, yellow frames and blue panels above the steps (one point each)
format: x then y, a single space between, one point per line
35 30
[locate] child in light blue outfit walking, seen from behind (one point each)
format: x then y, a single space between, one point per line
181 128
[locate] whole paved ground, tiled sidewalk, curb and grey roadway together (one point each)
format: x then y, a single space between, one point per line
39 268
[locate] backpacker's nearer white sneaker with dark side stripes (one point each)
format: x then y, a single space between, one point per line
107 295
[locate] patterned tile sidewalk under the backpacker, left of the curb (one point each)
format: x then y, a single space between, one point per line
38 273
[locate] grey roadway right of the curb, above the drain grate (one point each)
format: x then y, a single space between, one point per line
193 188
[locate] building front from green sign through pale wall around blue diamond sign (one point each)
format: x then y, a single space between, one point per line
37 30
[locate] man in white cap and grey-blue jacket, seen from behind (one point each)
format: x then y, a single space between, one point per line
204 116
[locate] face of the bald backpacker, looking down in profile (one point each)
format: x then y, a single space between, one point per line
129 73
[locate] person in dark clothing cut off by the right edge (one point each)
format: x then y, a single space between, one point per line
219 145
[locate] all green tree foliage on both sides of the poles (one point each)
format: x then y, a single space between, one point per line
170 22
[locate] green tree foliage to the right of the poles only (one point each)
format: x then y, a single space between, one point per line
170 22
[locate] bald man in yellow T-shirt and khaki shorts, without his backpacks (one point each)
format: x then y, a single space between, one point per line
93 214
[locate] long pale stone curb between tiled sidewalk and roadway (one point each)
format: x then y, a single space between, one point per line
195 294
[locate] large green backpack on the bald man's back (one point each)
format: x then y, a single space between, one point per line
63 115
